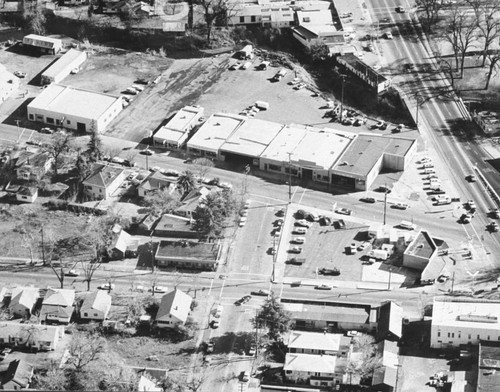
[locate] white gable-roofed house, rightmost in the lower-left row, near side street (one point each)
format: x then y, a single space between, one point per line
174 309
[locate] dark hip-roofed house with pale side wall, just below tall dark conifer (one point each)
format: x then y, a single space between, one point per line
103 181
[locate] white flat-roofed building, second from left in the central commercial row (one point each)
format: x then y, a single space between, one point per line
213 134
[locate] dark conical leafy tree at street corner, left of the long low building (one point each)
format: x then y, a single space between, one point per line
273 317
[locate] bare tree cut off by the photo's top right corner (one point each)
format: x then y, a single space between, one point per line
488 23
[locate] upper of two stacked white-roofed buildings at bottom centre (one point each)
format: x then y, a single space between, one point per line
302 342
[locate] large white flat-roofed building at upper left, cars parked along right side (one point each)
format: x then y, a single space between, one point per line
73 108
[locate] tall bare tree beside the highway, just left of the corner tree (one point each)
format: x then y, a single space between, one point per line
460 33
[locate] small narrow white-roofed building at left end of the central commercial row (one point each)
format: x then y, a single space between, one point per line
174 134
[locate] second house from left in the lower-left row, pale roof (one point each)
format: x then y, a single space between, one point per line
57 306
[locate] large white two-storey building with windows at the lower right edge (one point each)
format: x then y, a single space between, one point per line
457 321
